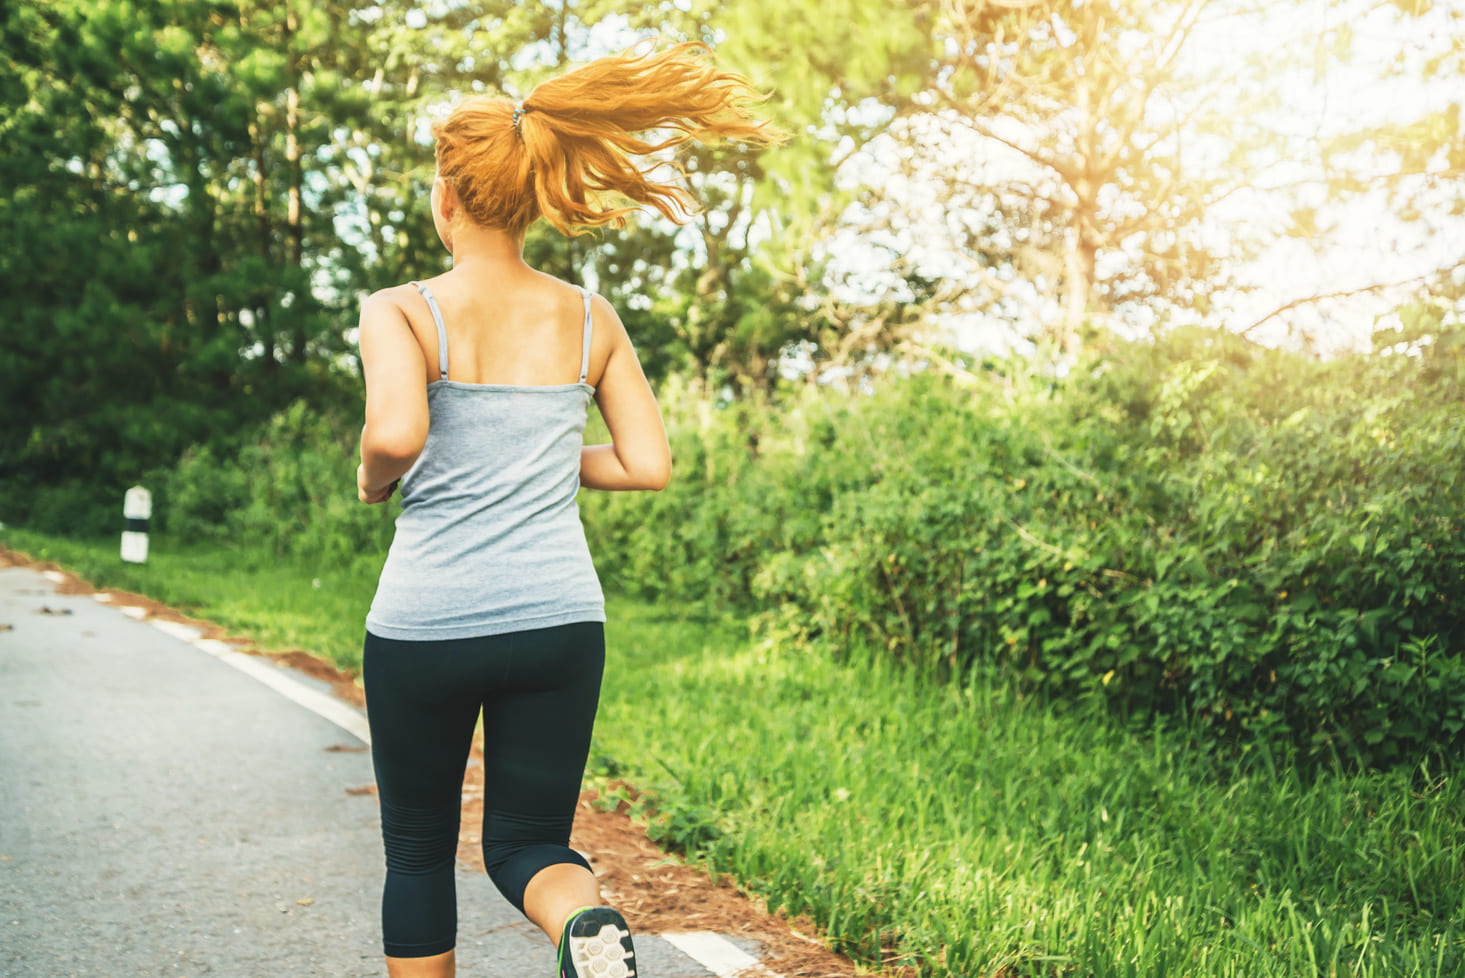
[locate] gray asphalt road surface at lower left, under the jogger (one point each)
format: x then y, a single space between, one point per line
163 813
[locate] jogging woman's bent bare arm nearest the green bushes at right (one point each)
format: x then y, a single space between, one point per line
638 456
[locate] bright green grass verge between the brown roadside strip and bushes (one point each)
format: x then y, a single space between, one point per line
962 829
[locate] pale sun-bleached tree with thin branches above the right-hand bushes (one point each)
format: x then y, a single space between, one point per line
1076 156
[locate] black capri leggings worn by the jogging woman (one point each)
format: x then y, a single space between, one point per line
538 692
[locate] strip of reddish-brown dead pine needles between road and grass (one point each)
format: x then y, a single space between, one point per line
657 892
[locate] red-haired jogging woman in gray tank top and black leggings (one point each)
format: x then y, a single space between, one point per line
478 384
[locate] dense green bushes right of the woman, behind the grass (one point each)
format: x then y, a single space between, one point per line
1195 526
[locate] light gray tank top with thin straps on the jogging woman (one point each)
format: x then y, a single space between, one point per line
490 538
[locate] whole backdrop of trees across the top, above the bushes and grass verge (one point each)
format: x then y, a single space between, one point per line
196 194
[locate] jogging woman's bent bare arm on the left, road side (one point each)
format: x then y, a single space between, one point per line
396 399
